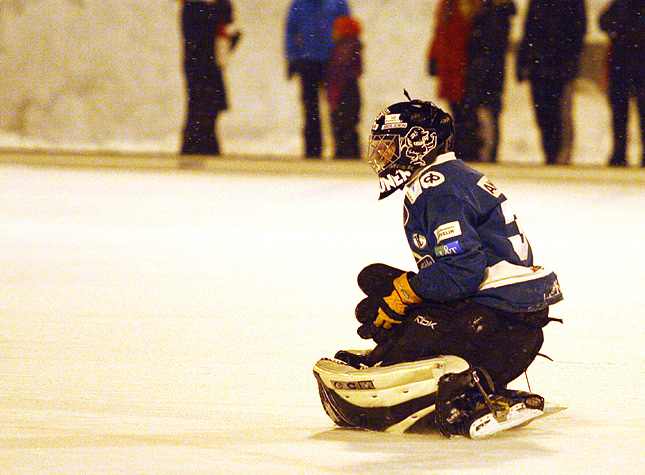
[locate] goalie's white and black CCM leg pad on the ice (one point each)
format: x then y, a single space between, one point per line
388 398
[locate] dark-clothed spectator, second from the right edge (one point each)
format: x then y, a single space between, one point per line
549 56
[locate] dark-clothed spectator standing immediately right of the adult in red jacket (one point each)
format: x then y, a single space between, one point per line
487 47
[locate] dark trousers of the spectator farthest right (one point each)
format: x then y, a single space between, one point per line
623 82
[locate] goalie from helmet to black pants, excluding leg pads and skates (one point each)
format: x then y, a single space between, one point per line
477 293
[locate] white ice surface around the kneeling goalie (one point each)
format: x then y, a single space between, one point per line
167 322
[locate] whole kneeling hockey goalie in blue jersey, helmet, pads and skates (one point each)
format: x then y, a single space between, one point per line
452 335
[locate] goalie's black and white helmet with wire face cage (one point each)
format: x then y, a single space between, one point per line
406 137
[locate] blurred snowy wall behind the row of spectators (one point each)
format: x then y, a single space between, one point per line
106 75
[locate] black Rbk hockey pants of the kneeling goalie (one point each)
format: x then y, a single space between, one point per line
504 344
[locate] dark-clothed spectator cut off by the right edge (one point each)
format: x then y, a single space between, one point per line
624 22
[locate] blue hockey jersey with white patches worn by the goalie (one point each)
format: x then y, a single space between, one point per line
468 243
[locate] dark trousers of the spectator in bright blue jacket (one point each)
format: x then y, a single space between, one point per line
312 76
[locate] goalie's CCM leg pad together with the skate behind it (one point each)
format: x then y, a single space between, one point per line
441 393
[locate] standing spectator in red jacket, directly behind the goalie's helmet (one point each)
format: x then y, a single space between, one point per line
448 60
